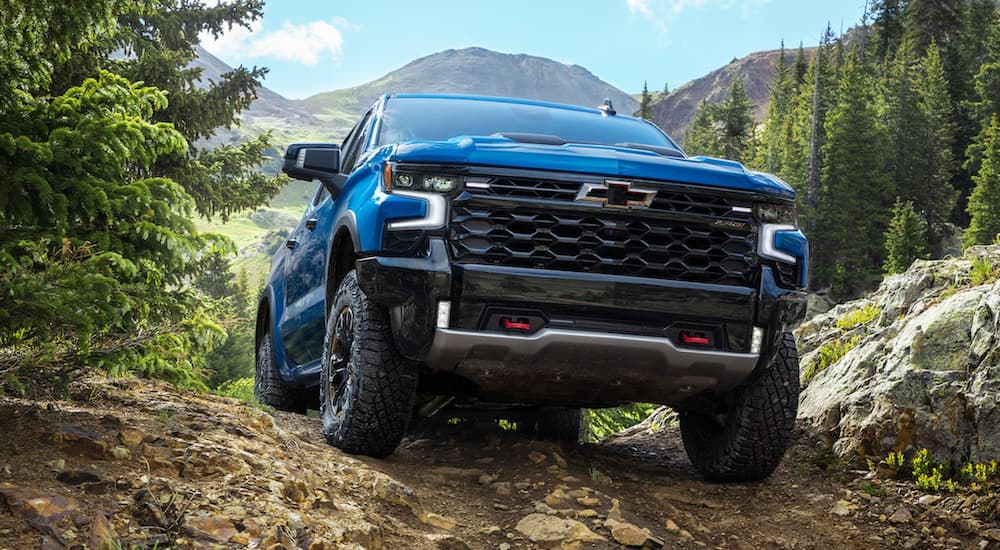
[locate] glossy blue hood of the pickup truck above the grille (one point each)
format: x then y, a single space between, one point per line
602 160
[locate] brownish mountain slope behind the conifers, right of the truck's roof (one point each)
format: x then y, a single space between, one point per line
675 112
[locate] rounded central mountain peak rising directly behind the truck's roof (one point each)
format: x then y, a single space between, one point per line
475 71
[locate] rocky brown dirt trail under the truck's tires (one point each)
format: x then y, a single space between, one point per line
137 463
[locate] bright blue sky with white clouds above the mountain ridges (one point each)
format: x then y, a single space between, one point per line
314 46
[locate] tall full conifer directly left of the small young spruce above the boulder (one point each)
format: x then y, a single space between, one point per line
852 213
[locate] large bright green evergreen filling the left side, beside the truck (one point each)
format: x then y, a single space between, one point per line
97 245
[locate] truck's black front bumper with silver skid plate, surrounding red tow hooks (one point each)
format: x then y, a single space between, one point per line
606 339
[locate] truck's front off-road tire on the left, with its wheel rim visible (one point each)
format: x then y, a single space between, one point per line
369 412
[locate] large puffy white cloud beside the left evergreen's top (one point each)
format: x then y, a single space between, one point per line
307 43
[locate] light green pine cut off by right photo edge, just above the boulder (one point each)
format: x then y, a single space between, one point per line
984 203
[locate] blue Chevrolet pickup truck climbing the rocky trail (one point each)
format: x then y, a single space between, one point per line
470 251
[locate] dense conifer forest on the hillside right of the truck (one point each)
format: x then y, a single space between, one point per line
889 134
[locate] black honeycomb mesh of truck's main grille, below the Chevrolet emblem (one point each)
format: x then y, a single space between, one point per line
517 235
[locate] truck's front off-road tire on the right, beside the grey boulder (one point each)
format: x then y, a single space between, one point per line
746 440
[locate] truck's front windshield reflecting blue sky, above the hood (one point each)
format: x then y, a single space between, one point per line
439 119
